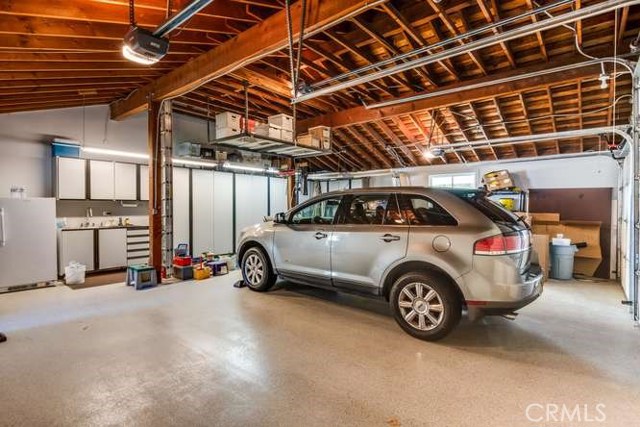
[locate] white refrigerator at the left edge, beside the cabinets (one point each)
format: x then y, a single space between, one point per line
28 251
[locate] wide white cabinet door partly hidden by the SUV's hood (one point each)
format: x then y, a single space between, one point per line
251 200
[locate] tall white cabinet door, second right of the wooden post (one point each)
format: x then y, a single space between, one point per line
202 194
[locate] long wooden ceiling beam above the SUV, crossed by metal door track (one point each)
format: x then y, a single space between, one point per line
363 114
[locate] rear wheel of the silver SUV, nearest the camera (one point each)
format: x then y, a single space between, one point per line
425 305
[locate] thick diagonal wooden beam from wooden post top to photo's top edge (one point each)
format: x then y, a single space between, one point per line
262 39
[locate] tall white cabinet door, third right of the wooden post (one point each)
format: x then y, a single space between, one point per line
222 212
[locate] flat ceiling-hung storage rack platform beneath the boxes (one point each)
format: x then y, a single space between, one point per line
266 145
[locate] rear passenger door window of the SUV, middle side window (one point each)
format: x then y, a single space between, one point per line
371 209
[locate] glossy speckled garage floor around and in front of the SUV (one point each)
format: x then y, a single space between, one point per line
206 353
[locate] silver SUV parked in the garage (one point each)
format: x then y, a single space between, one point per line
429 252
